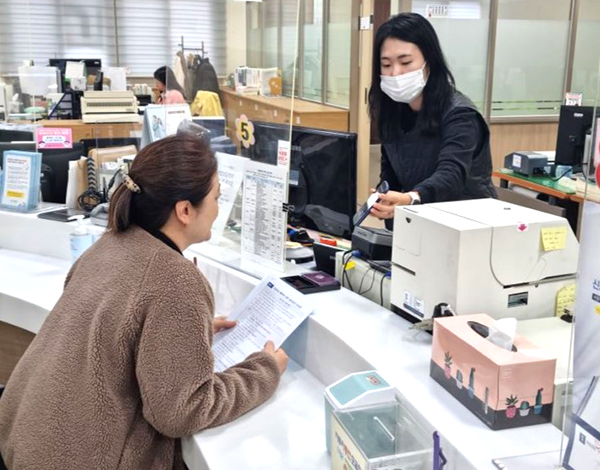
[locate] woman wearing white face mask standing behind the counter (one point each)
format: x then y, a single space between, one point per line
434 142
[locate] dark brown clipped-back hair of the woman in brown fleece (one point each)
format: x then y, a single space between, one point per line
176 168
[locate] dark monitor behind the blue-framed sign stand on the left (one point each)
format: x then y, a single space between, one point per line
55 172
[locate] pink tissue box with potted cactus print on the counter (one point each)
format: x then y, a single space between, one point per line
505 389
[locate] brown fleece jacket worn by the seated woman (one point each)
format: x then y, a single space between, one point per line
123 366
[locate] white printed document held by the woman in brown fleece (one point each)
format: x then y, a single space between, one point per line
272 311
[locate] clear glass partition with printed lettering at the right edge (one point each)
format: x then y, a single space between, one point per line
582 429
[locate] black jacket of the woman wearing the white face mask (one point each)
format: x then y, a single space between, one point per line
454 164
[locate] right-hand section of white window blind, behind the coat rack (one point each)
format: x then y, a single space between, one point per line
150 31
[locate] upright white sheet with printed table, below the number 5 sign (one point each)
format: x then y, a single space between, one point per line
263 218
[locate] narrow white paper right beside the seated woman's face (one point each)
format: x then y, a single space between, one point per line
231 174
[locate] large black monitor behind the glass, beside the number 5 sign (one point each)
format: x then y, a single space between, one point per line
322 174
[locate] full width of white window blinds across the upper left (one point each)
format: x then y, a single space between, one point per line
149 31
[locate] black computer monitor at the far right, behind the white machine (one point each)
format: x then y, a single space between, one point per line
574 125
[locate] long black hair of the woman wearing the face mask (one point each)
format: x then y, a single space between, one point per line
413 28
